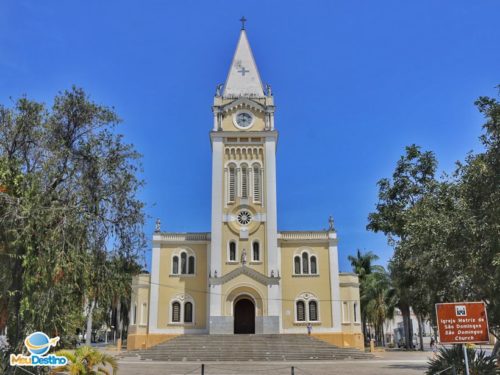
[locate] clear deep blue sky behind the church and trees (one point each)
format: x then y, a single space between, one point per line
354 82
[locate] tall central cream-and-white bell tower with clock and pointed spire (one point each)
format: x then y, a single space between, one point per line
243 223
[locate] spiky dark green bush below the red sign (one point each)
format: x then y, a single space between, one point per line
479 362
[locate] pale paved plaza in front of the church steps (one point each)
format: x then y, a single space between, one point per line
390 363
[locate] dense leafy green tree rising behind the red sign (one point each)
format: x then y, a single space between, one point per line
446 232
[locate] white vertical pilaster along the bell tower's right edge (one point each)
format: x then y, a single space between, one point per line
274 295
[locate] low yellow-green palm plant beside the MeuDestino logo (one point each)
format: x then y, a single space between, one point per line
86 361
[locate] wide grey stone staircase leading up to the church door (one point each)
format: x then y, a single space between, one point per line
206 348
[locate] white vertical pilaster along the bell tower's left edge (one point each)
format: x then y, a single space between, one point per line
216 238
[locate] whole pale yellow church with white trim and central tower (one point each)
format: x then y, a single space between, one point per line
245 276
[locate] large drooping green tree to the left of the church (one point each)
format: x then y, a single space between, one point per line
70 219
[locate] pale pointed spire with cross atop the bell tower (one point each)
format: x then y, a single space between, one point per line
243 78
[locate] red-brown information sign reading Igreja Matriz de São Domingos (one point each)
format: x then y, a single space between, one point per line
462 322
